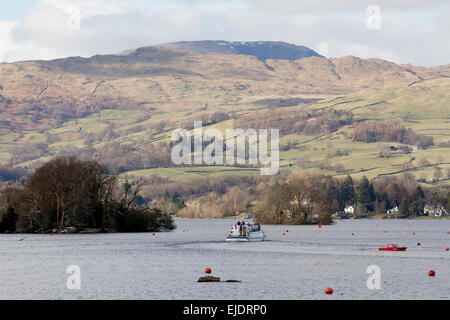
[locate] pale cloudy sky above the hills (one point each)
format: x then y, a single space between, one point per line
402 31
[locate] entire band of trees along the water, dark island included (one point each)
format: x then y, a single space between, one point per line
68 192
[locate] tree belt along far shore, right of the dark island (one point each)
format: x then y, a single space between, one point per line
294 198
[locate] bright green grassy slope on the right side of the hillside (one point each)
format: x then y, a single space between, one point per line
424 107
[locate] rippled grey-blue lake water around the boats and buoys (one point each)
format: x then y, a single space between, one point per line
298 265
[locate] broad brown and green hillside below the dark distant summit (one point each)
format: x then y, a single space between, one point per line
122 108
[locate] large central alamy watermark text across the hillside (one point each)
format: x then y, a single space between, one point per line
241 146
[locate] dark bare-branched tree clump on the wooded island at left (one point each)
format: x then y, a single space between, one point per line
67 194
